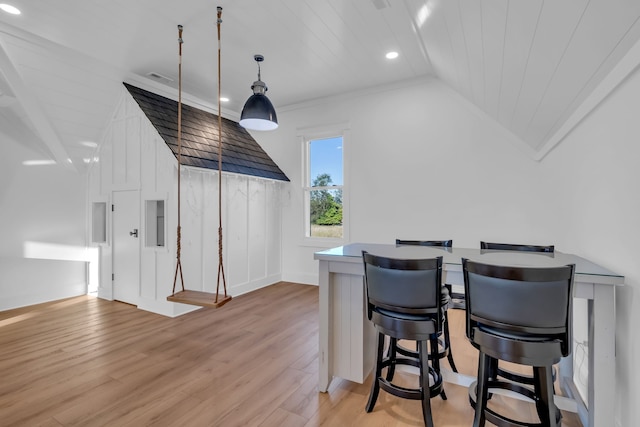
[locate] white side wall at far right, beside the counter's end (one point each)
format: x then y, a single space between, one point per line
596 197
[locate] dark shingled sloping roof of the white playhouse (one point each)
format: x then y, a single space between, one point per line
240 152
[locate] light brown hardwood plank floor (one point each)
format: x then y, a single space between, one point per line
90 362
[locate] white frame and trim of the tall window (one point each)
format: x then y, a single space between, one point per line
307 135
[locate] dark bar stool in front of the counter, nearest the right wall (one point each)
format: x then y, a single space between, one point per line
520 315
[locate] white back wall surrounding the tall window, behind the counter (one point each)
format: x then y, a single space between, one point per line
421 162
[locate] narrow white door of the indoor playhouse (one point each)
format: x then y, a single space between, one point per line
126 246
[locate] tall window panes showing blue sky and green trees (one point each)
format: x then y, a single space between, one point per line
324 187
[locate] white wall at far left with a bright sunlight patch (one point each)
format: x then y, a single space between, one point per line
42 255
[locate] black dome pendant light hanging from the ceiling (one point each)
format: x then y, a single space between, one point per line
258 112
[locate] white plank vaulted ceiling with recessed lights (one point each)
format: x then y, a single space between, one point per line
530 65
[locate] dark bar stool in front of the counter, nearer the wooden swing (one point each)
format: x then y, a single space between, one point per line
404 302
